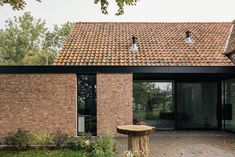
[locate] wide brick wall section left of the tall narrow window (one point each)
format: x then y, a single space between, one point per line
38 102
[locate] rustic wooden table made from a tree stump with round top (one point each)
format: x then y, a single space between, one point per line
138 138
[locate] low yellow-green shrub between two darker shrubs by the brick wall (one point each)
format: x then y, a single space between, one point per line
41 139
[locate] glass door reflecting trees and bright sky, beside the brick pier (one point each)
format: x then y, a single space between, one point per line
153 104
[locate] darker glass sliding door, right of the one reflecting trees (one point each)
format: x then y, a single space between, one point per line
197 105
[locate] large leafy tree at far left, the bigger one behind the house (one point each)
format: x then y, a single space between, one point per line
21 37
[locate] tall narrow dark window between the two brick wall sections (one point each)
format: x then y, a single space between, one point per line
87 102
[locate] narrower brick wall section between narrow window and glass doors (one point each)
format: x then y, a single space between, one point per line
114 101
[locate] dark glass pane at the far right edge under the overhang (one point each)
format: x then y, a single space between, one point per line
229 107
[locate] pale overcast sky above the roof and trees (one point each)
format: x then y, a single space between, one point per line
61 11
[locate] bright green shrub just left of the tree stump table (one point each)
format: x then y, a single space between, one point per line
103 147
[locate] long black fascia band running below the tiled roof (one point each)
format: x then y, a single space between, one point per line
119 69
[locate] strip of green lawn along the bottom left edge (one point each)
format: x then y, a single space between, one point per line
42 153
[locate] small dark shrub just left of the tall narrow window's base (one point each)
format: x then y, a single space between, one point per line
60 138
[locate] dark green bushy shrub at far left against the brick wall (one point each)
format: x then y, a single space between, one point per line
18 139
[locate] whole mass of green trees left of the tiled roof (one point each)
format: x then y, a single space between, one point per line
27 41
